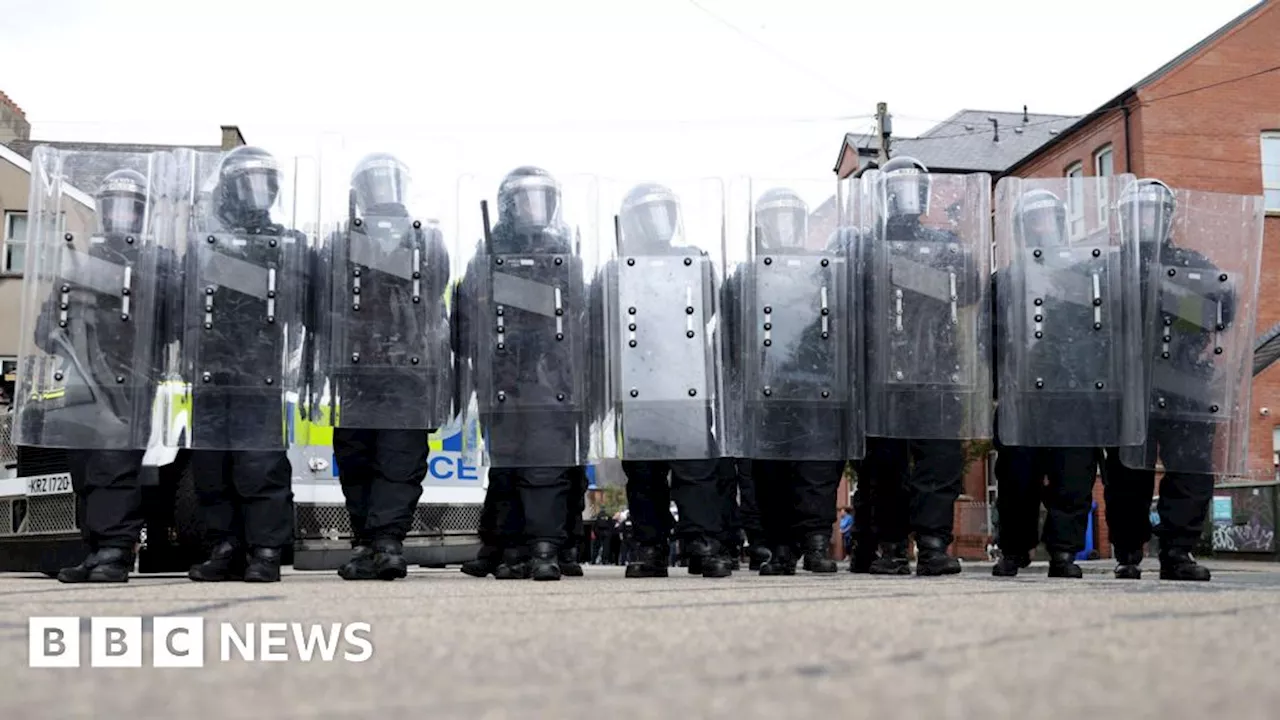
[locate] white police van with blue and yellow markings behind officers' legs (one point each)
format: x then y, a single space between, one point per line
39 530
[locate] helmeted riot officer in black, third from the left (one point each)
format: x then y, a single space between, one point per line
390 361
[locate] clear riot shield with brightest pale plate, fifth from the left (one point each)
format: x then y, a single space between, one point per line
653 311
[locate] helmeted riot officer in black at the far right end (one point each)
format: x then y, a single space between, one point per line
1185 446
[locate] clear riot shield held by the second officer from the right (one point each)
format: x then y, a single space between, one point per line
1068 316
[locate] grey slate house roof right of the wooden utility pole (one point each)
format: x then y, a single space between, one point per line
968 140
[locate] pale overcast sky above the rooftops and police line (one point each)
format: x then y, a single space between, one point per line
637 92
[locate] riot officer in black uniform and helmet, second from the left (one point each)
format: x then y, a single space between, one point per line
236 338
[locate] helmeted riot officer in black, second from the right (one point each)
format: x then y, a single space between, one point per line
1069 361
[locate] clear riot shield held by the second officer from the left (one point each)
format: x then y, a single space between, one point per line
244 218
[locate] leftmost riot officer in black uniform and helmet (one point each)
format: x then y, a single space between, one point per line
100 332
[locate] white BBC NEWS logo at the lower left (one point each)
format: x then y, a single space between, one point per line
180 642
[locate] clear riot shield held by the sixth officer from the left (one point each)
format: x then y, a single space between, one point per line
794 322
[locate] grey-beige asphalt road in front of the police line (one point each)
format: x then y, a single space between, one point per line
604 648
